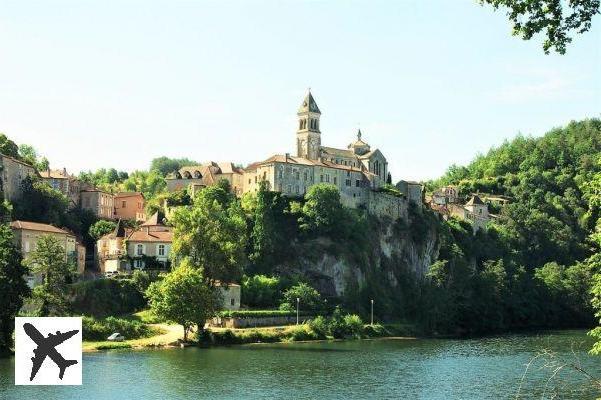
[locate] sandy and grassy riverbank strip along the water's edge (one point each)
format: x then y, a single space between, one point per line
172 336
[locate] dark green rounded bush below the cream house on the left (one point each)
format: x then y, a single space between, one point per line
103 297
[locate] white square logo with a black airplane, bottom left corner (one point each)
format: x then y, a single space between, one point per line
48 351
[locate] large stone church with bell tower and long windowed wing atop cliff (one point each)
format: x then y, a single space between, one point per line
357 170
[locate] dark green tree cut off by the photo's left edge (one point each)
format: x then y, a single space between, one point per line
12 286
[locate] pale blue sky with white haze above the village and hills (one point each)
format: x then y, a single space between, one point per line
431 83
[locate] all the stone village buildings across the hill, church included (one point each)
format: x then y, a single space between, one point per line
359 171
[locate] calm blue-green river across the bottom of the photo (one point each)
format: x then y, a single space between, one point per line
485 368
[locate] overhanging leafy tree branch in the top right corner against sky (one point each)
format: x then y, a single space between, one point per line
556 18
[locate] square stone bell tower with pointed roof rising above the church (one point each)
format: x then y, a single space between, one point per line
308 136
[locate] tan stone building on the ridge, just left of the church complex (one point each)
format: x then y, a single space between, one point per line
196 177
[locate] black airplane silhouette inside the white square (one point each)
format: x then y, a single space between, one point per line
46 347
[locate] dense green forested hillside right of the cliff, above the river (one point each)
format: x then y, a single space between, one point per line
533 267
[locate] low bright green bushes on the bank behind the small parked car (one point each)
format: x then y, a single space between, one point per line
100 329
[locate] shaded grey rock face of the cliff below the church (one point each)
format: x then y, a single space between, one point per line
392 250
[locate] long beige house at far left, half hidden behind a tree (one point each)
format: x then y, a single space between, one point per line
26 235
